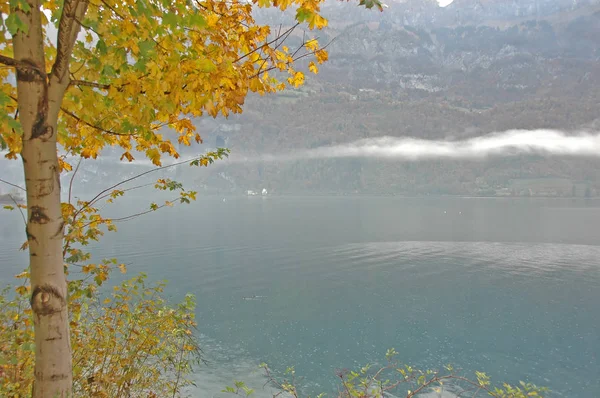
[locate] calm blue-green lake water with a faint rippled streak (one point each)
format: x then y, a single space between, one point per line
507 286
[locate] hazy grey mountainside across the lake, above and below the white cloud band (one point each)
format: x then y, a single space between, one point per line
420 70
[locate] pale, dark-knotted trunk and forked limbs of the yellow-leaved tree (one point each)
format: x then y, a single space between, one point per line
39 98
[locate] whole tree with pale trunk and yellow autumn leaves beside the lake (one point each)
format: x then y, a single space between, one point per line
114 73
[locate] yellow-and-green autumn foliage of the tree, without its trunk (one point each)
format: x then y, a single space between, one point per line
138 66
